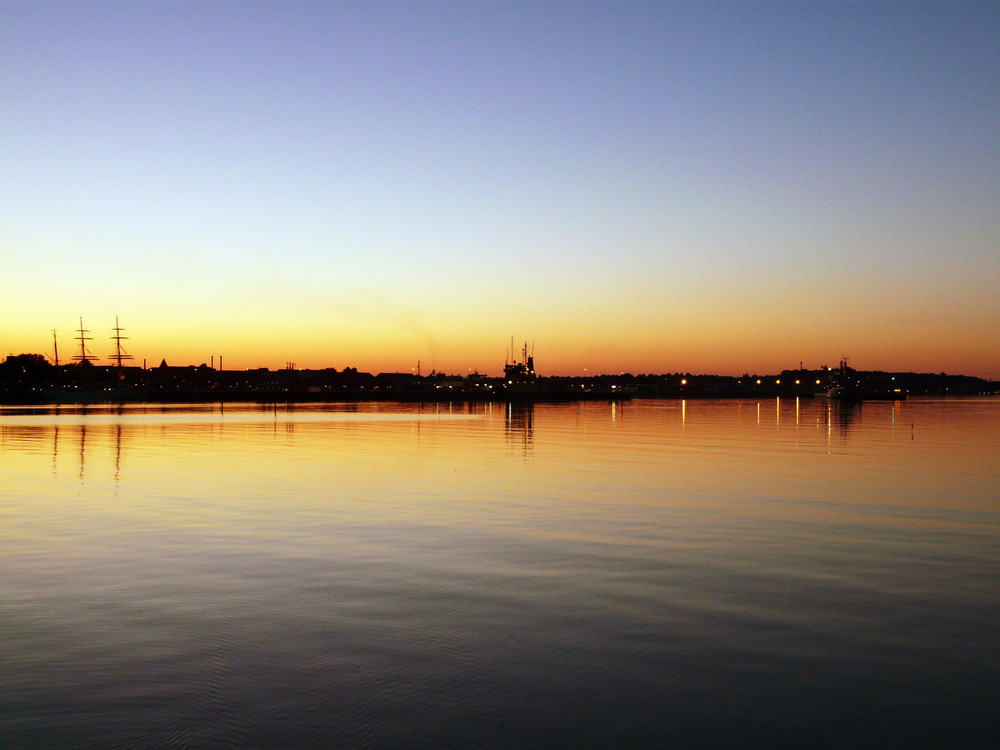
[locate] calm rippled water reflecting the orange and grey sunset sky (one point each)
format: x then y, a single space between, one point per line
647 574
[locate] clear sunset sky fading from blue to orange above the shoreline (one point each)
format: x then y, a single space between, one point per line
647 187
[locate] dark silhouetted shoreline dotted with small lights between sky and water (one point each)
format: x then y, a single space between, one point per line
29 379
